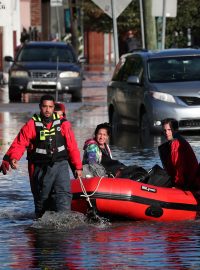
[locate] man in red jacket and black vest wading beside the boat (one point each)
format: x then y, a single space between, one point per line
53 144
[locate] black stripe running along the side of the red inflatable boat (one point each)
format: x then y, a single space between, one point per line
141 200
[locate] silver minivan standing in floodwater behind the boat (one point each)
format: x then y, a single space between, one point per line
148 86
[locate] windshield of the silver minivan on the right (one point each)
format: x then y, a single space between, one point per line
174 69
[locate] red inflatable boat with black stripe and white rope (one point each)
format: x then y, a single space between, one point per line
133 200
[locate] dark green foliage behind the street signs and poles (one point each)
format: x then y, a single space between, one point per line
176 28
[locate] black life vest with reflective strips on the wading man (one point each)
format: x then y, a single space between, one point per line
49 145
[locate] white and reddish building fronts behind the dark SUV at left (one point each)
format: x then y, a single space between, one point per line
43 20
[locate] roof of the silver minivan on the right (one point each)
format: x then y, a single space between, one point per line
165 53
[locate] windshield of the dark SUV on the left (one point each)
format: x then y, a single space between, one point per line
46 54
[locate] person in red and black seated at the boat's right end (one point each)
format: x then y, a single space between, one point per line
178 157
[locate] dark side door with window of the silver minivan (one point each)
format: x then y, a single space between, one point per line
131 92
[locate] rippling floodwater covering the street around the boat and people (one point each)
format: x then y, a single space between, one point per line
70 241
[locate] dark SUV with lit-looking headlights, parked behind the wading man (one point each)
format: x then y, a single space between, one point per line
41 67
